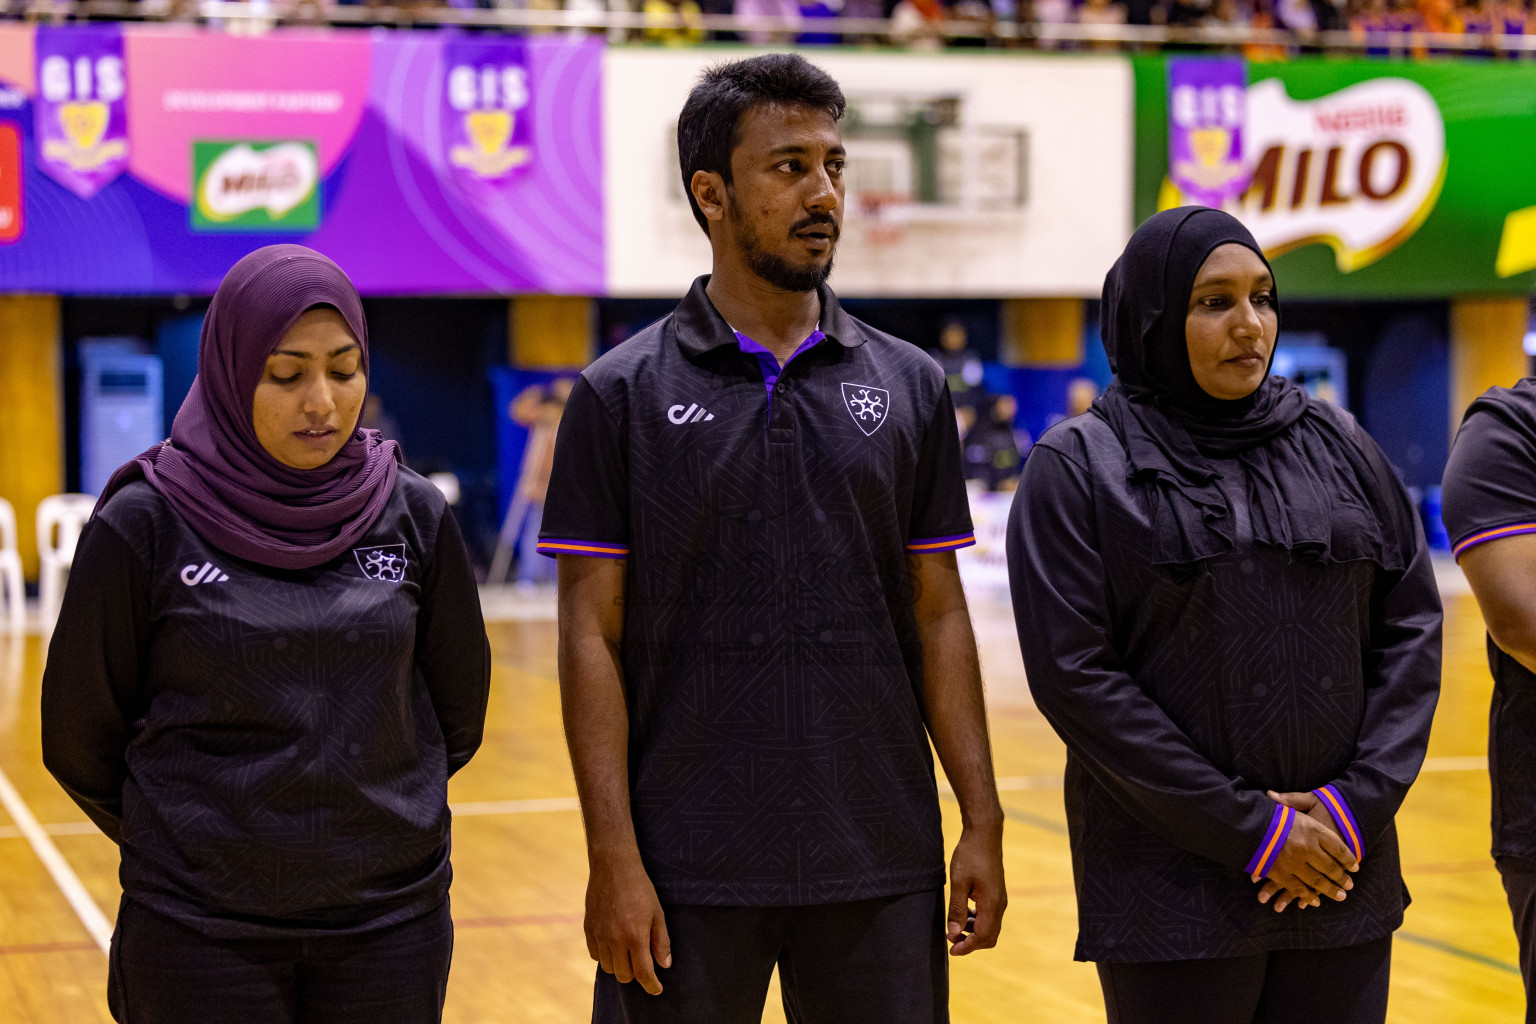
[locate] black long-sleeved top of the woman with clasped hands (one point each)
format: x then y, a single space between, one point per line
1185 695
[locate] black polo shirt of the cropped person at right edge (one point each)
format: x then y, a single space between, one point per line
1491 494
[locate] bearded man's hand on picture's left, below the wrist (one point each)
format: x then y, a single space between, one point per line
626 927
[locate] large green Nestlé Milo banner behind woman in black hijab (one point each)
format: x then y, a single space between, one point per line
1372 179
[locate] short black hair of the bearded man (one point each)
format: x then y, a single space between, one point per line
710 125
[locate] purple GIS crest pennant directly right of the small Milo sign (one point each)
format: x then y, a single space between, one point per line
488 108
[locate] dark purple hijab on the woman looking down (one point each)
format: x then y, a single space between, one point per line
217 475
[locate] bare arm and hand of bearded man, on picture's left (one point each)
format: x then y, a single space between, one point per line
626 928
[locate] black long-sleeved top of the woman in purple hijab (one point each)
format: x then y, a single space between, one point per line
270 748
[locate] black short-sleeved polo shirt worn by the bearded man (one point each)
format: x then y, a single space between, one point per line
778 751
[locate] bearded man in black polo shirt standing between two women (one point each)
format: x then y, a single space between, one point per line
756 504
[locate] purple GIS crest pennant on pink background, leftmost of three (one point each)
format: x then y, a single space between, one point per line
82 111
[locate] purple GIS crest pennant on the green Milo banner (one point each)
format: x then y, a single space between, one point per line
1207 111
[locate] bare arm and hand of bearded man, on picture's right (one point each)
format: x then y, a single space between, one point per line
956 715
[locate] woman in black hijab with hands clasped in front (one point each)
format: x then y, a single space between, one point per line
1228 613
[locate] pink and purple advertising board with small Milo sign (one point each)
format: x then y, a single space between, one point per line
154 157
